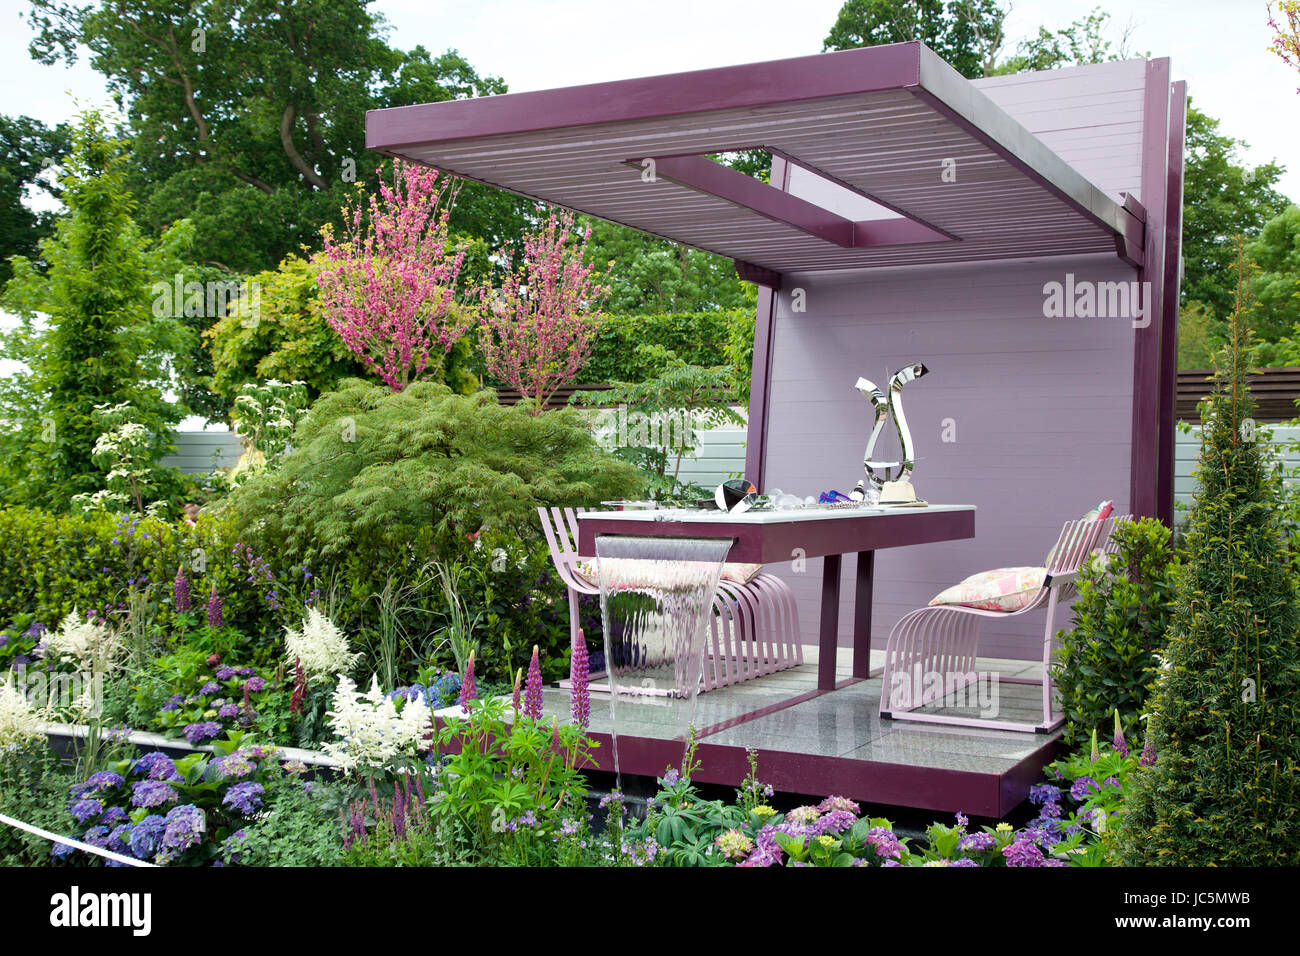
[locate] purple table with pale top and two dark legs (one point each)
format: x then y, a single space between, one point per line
770 538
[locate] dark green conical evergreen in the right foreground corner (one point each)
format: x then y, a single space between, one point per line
1225 789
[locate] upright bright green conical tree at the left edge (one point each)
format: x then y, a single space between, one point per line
89 335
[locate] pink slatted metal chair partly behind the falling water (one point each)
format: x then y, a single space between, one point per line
755 630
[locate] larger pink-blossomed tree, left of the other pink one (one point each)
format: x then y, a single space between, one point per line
389 282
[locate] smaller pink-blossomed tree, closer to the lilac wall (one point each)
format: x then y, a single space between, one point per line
538 330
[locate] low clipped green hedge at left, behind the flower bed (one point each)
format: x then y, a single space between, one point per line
57 564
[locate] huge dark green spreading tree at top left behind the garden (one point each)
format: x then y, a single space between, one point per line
249 116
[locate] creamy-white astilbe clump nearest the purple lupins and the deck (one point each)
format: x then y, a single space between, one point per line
370 730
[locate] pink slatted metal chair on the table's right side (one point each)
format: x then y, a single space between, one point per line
931 652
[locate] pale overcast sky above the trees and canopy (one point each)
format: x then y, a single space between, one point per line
1220 47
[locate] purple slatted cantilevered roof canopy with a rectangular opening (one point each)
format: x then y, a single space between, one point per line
948 174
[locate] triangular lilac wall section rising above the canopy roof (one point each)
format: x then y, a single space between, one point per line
1090 116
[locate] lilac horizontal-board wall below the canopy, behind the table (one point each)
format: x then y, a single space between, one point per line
1039 408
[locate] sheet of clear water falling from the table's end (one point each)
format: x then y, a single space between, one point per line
657 596
